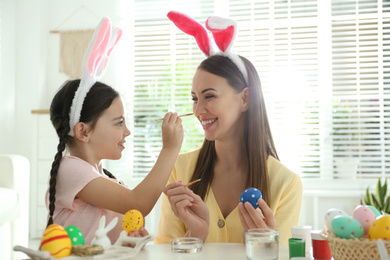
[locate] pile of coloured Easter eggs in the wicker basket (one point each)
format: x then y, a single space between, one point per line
366 222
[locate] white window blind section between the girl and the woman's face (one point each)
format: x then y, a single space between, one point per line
165 60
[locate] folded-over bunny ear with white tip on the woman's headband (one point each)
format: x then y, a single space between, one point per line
223 30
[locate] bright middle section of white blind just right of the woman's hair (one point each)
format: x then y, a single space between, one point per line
281 40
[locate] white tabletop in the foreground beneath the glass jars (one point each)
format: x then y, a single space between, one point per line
210 251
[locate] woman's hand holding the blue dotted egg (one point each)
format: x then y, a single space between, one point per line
256 218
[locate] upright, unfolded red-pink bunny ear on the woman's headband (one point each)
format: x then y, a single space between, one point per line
189 26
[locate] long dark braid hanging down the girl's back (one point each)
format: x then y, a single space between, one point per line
54 170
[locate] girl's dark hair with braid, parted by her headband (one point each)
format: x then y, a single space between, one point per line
98 99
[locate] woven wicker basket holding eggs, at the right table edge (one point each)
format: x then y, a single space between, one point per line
354 248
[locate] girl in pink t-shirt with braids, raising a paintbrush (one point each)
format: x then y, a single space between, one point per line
81 191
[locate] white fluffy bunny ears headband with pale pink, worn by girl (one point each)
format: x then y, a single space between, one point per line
94 65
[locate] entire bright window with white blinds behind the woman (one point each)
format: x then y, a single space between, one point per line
325 72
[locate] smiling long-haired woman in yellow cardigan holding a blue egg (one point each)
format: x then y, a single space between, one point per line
238 152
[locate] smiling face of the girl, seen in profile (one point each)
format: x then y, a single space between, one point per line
107 139
